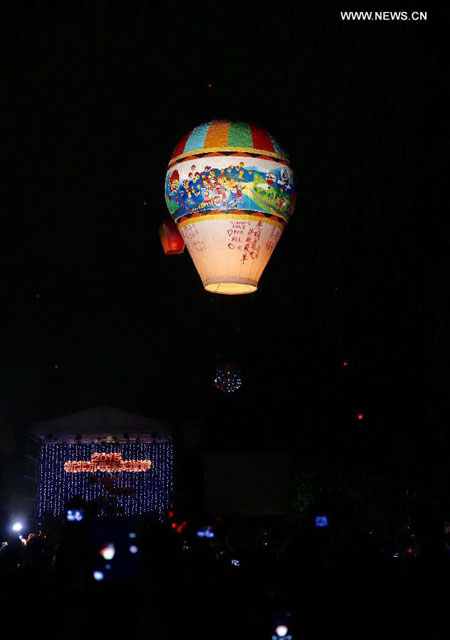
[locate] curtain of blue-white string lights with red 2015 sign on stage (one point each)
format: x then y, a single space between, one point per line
126 493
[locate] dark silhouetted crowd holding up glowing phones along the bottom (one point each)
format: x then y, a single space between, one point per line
238 581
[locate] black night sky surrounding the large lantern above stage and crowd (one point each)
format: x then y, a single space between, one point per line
95 97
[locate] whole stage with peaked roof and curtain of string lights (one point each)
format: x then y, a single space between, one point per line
121 462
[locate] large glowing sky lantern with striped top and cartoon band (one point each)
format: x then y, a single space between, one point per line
230 190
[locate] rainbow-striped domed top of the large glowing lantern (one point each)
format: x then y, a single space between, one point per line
224 136
